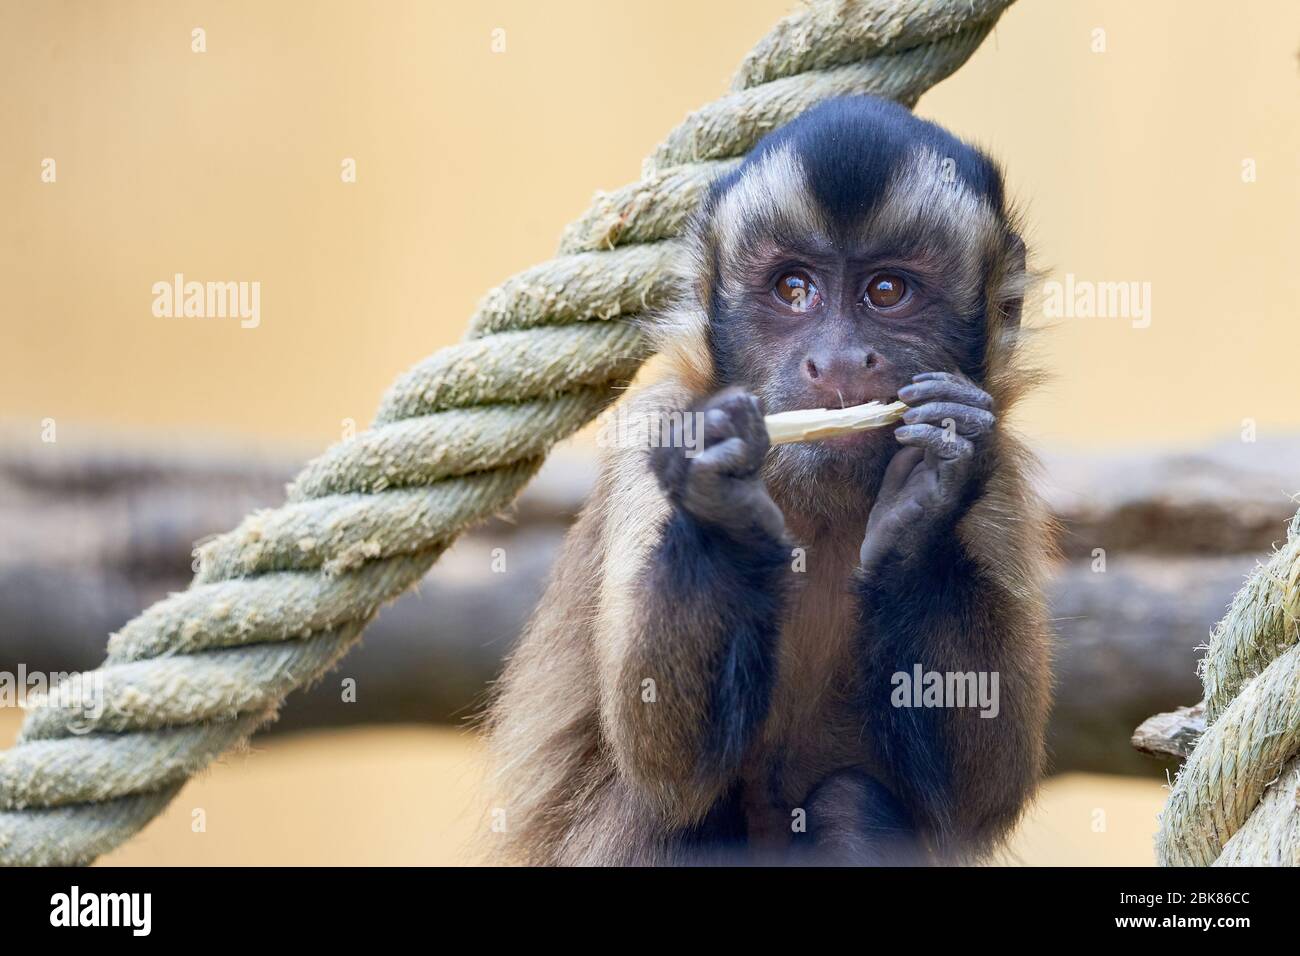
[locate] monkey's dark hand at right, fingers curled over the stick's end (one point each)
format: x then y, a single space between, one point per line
928 485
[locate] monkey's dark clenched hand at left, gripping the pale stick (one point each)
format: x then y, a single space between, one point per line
716 479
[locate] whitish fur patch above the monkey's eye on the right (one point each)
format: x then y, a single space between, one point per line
928 197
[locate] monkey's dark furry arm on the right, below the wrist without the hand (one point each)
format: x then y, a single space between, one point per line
964 777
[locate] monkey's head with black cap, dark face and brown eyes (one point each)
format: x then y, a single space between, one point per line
851 252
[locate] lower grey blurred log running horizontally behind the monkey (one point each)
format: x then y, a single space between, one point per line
1126 641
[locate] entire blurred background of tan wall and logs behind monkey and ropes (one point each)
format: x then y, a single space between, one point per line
378 168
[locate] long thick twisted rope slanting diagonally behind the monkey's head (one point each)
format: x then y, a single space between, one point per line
284 596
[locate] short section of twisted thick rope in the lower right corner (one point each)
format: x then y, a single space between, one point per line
1237 801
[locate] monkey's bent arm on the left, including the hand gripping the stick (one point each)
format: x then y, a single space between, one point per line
691 628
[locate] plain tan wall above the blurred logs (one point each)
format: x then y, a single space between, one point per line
226 166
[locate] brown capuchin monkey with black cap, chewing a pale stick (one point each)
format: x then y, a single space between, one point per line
725 667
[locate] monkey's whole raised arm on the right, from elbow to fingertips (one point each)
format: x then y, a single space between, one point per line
950 583
